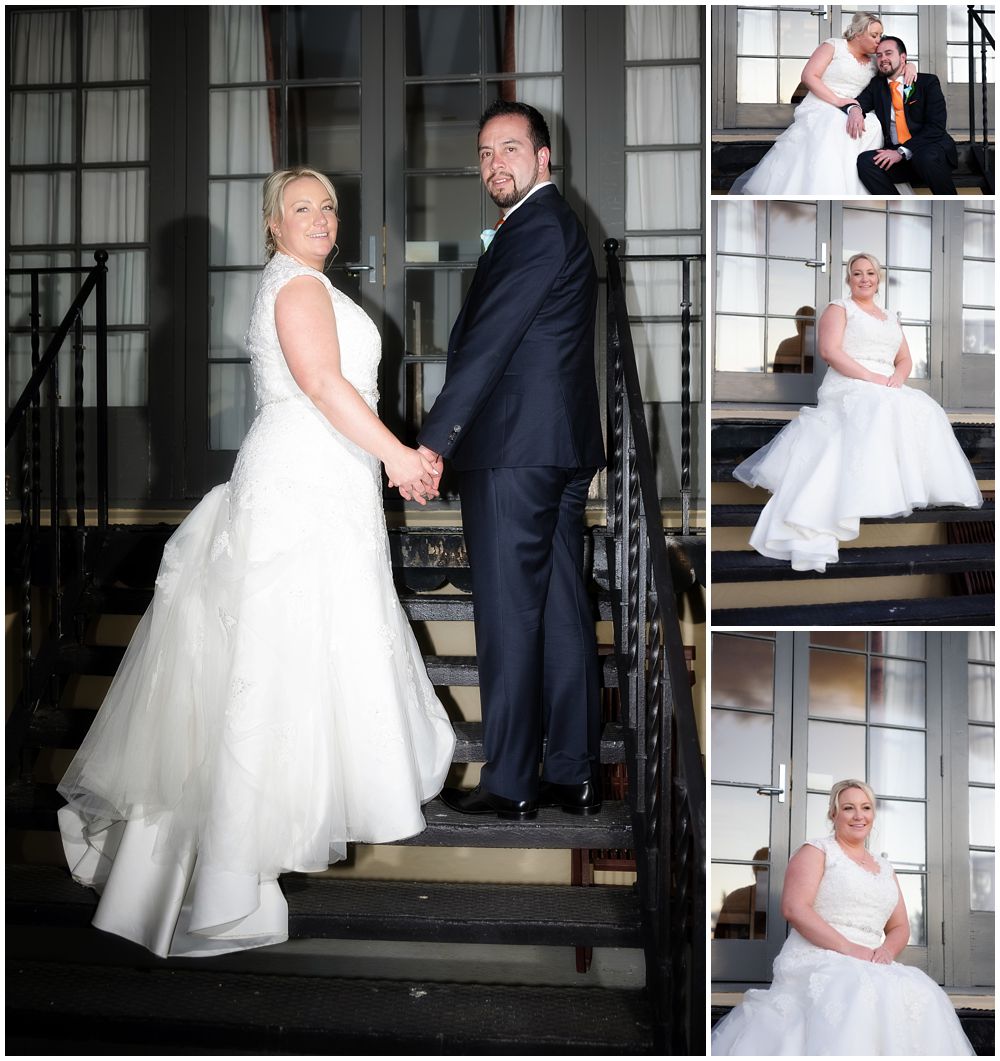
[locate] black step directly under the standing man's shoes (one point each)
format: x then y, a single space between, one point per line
33 807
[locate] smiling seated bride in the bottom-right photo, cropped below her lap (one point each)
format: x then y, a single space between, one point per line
838 988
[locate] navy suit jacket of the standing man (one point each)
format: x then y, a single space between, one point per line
521 389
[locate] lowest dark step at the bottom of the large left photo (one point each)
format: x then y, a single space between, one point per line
248 1013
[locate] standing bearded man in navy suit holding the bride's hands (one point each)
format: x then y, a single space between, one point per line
519 421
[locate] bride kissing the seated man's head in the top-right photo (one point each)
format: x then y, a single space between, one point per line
816 155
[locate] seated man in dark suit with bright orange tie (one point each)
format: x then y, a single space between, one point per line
914 120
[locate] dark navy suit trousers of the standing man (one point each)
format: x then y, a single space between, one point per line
536 645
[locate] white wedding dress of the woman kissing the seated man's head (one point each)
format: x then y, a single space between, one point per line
815 155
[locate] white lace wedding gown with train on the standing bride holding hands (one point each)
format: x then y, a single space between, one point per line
273 705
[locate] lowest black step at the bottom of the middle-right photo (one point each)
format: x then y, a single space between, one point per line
977 611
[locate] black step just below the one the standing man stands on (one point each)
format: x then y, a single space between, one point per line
415 912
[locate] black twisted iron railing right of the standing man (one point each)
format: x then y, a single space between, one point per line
668 781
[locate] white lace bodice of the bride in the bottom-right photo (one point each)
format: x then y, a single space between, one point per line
854 901
